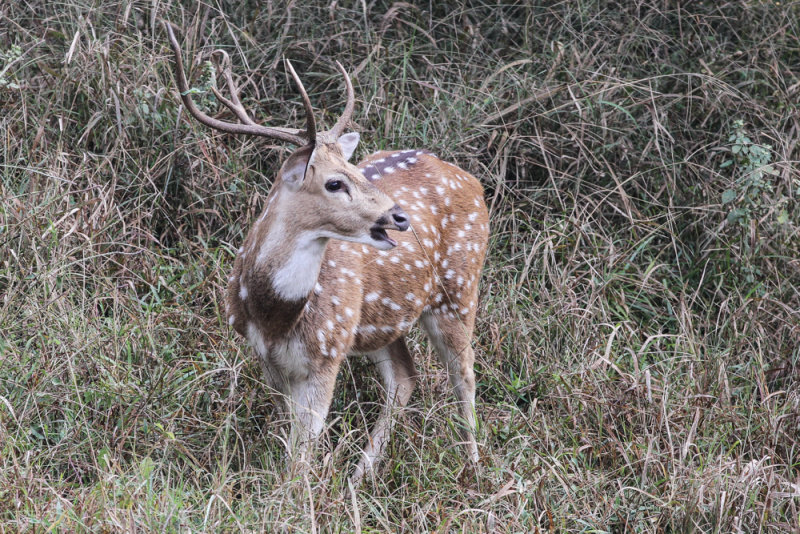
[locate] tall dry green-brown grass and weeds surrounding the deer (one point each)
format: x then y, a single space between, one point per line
638 330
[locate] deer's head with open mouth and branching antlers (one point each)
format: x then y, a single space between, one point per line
328 196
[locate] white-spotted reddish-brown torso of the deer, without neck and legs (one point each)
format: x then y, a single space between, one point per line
367 298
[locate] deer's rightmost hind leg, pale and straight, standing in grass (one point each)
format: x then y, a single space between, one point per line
452 340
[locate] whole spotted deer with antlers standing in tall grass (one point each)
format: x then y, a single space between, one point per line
344 259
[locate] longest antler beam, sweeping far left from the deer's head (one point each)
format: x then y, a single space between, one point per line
249 128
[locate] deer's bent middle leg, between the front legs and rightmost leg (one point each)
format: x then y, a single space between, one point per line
396 368
